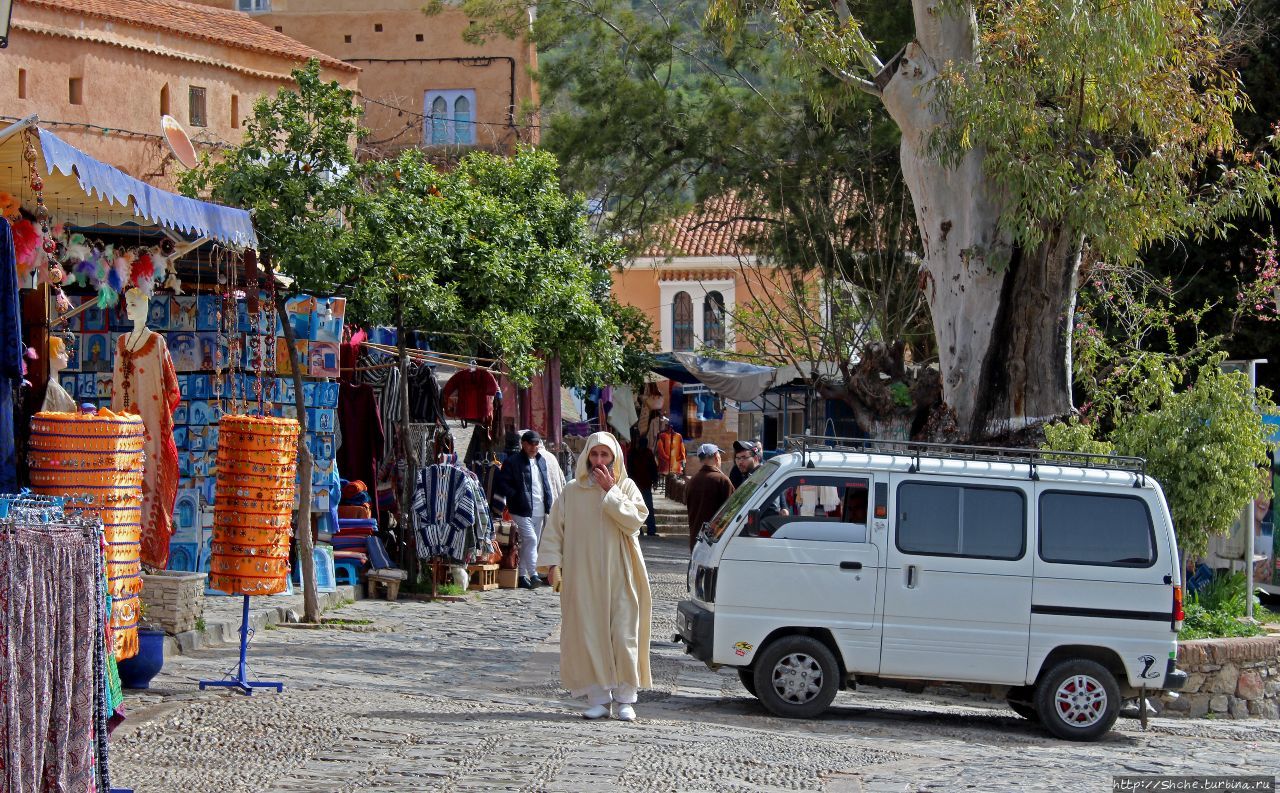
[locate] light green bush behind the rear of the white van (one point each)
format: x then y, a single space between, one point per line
1205 444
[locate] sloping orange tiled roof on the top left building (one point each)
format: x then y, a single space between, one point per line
199 22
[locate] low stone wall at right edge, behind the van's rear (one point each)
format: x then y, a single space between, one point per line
1233 679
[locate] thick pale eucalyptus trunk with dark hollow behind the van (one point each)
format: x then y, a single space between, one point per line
1002 317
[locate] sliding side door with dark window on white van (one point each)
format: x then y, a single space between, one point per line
958 581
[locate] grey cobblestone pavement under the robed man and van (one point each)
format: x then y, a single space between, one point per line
465 696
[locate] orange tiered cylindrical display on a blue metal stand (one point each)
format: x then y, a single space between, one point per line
257 465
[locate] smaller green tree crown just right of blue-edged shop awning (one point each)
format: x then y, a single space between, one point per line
295 172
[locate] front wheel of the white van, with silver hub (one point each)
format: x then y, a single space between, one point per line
797 677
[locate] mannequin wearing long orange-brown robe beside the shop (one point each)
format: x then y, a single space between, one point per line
145 383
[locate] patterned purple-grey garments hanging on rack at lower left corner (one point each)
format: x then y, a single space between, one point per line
53 658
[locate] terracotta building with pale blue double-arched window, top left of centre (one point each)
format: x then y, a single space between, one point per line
422 84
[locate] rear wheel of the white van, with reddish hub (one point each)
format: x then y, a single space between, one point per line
1078 700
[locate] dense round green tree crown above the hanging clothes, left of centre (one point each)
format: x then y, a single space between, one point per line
499 260
